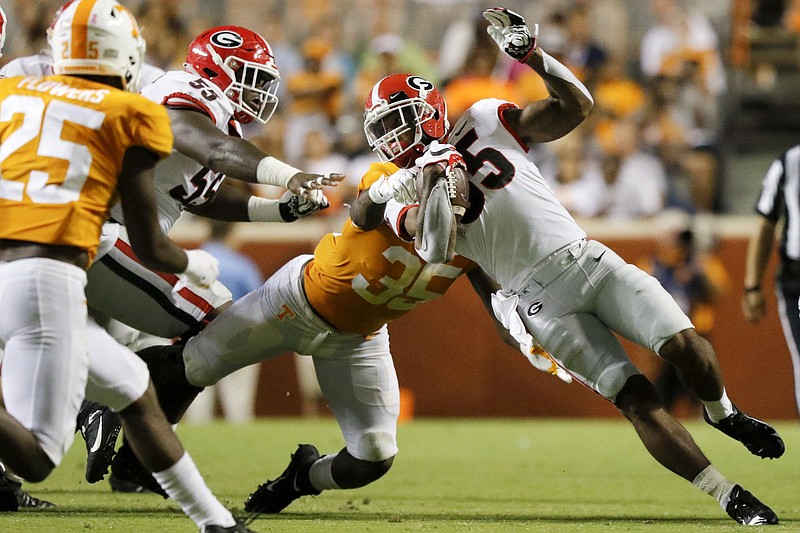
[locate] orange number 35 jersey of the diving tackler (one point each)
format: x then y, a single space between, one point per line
360 280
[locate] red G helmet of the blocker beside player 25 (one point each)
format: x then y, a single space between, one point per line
240 62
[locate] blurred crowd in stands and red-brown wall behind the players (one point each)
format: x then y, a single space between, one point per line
698 122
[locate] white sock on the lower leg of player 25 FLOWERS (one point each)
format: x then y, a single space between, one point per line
184 484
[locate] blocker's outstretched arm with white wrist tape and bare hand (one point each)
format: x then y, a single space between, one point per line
197 137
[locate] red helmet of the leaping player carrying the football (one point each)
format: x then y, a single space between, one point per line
403 114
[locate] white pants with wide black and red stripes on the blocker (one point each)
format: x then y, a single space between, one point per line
161 304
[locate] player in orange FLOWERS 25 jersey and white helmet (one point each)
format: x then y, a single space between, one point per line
72 143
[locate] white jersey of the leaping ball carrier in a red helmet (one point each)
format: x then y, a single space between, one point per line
516 197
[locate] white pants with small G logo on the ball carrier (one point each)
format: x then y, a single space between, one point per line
580 296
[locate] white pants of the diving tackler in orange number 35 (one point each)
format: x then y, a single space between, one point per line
356 373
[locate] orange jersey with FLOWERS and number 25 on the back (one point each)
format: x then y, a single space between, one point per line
63 140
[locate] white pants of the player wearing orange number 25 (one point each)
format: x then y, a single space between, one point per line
47 369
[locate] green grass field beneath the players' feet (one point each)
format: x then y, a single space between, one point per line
451 475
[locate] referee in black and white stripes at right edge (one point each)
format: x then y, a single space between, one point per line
779 207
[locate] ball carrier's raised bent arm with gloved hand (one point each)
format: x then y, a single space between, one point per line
569 102
